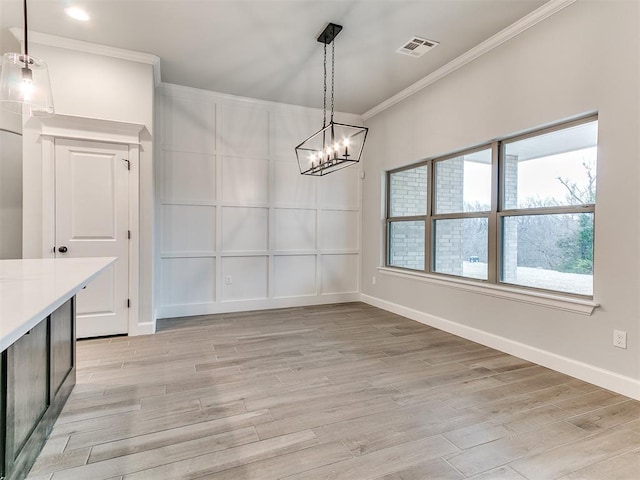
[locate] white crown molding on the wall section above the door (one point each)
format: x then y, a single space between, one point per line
93 48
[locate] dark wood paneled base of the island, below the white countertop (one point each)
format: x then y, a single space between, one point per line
37 374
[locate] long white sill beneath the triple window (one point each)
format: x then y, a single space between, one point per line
558 302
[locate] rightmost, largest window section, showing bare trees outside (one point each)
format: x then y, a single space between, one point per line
547 218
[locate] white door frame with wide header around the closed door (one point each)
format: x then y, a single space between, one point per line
104 131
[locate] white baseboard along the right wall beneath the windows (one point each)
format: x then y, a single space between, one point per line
589 373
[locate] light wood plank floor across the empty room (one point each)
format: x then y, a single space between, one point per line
330 392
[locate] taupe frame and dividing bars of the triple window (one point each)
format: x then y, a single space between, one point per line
495 215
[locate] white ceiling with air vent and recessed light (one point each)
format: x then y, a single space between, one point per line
267 49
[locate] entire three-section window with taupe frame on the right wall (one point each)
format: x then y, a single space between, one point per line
518 211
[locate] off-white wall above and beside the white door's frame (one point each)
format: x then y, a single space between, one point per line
102 87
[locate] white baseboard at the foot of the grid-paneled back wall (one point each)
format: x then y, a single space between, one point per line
171 311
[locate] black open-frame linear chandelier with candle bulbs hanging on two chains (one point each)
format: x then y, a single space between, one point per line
335 145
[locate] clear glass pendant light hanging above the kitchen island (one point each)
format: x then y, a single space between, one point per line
24 82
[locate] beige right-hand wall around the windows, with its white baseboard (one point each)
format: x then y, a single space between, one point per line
583 59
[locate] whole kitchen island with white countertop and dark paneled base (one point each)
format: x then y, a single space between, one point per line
37 345
